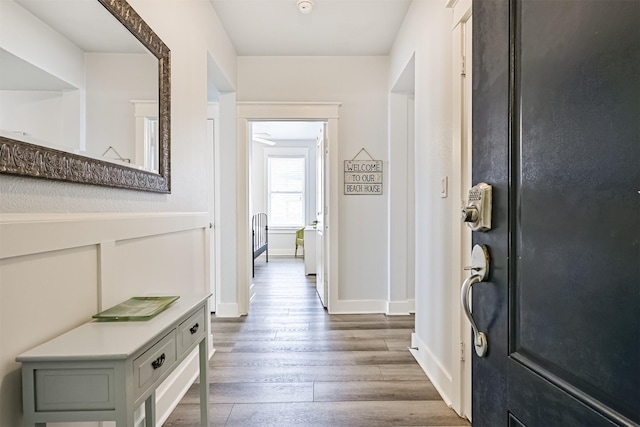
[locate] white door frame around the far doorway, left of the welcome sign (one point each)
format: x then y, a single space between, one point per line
286 111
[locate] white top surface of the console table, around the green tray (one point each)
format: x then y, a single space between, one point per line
111 340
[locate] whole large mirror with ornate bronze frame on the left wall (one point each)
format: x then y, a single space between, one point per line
97 154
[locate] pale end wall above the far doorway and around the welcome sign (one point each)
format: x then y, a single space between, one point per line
360 84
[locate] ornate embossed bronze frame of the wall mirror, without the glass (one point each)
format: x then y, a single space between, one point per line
25 159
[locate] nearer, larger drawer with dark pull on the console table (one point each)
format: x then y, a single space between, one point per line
150 366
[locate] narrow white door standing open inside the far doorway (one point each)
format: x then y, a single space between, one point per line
321 284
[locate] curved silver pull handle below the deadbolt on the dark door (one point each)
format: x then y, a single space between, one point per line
480 267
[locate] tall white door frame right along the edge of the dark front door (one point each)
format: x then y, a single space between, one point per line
461 173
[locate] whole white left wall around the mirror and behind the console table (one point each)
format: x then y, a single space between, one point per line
75 261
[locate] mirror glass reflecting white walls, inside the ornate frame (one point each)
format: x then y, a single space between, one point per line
75 79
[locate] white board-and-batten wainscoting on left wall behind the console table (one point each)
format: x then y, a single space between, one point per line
57 270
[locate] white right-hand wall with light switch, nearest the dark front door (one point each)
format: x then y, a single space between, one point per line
426 33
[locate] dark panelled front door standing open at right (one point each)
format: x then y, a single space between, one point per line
556 131
